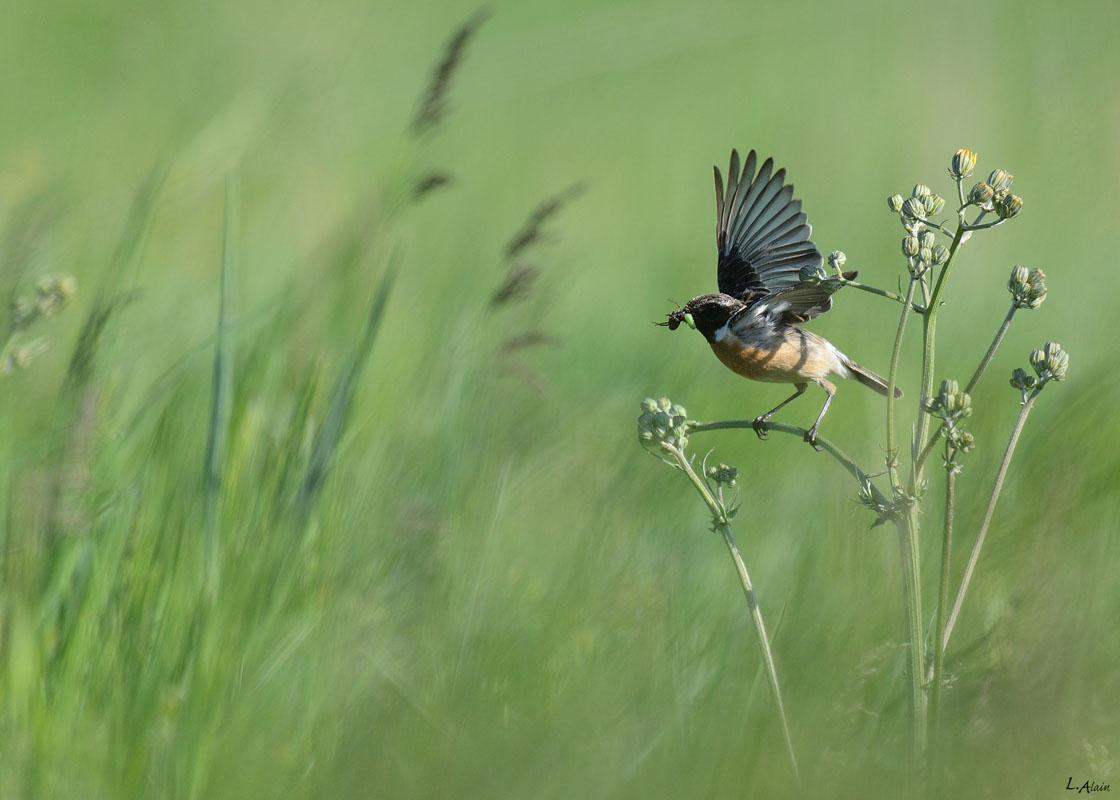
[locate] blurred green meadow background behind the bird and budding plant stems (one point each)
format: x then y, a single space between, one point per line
498 593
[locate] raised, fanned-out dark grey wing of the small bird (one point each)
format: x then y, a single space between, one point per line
761 232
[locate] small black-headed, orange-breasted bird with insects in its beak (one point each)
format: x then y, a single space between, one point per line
753 323
